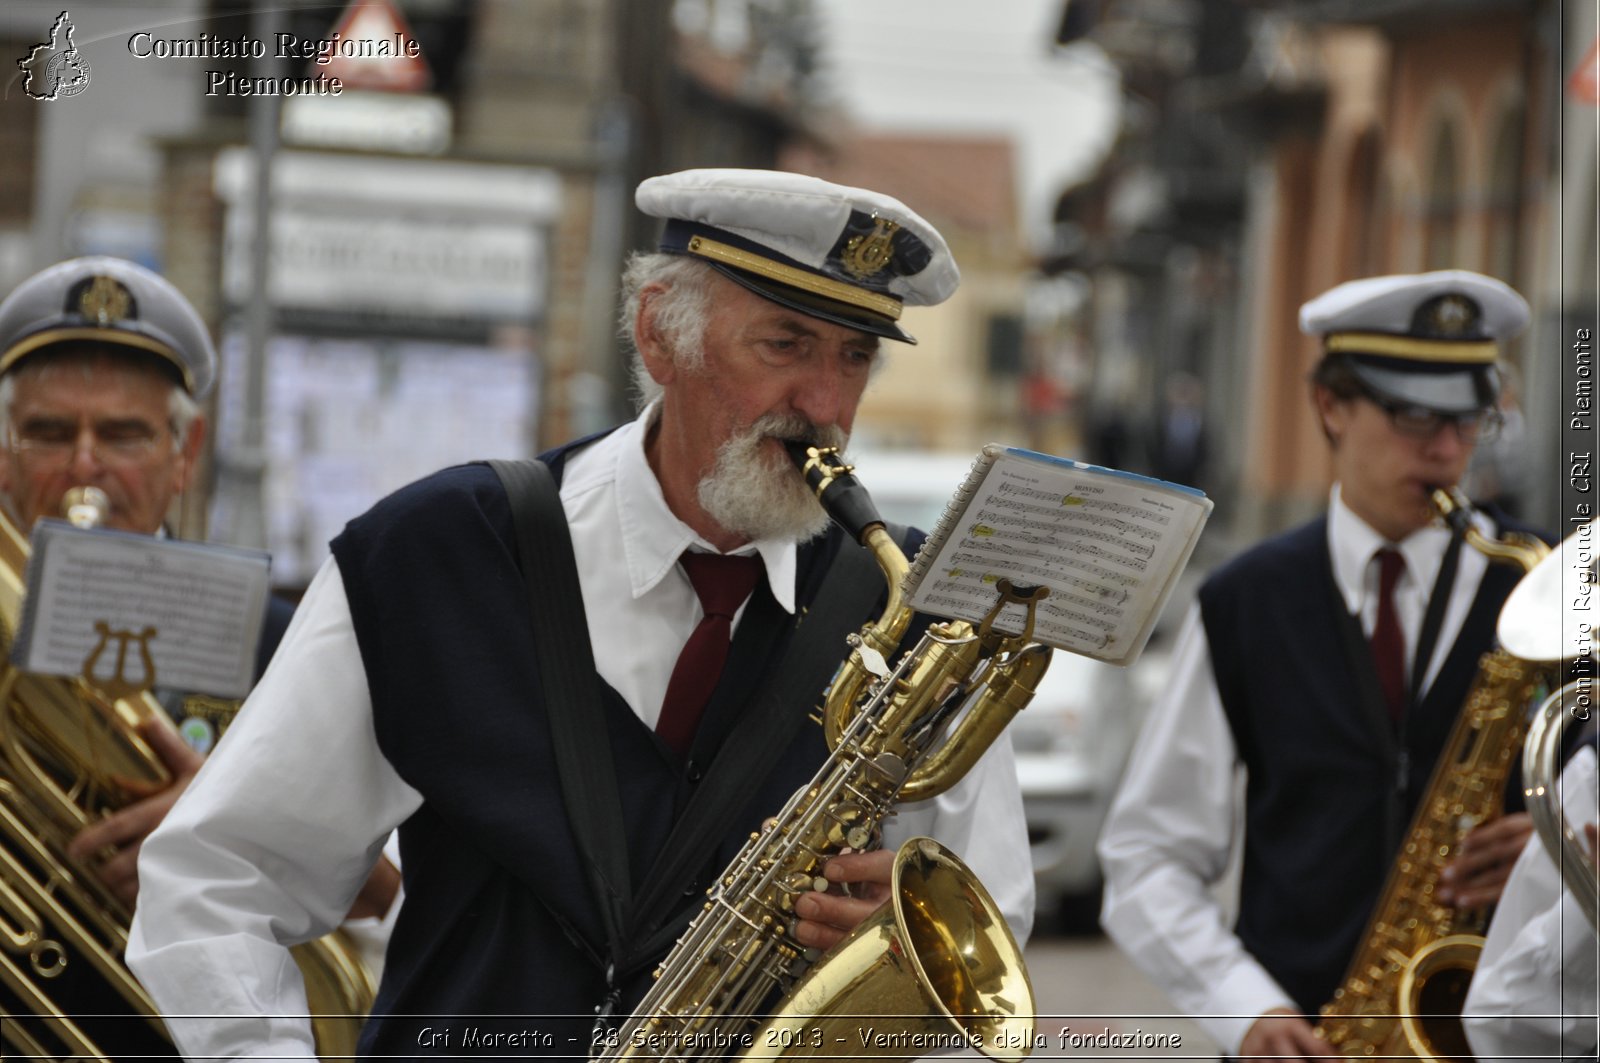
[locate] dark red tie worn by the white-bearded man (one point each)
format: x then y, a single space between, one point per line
722 584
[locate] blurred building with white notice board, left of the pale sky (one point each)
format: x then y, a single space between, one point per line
444 267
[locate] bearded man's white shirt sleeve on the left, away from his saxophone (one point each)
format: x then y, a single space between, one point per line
268 848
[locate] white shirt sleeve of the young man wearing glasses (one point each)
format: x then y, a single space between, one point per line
1167 843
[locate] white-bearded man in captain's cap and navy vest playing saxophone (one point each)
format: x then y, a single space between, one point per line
407 692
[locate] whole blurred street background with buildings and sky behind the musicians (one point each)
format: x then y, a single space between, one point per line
1140 195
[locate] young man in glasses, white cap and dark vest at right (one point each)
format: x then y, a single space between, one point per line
1329 665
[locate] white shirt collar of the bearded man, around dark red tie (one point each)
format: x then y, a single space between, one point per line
654 537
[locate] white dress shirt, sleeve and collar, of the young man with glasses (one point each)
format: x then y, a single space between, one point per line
1175 822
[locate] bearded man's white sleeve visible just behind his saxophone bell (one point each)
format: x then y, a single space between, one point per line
982 822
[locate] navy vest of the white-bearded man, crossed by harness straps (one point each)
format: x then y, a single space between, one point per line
500 944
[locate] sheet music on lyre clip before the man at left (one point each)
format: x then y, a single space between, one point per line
206 603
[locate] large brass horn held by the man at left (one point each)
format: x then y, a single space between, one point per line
70 753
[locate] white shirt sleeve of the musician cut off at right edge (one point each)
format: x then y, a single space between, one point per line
1535 990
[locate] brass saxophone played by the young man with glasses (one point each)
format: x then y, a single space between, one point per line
1406 987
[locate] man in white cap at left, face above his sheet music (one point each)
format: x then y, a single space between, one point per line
103 367
